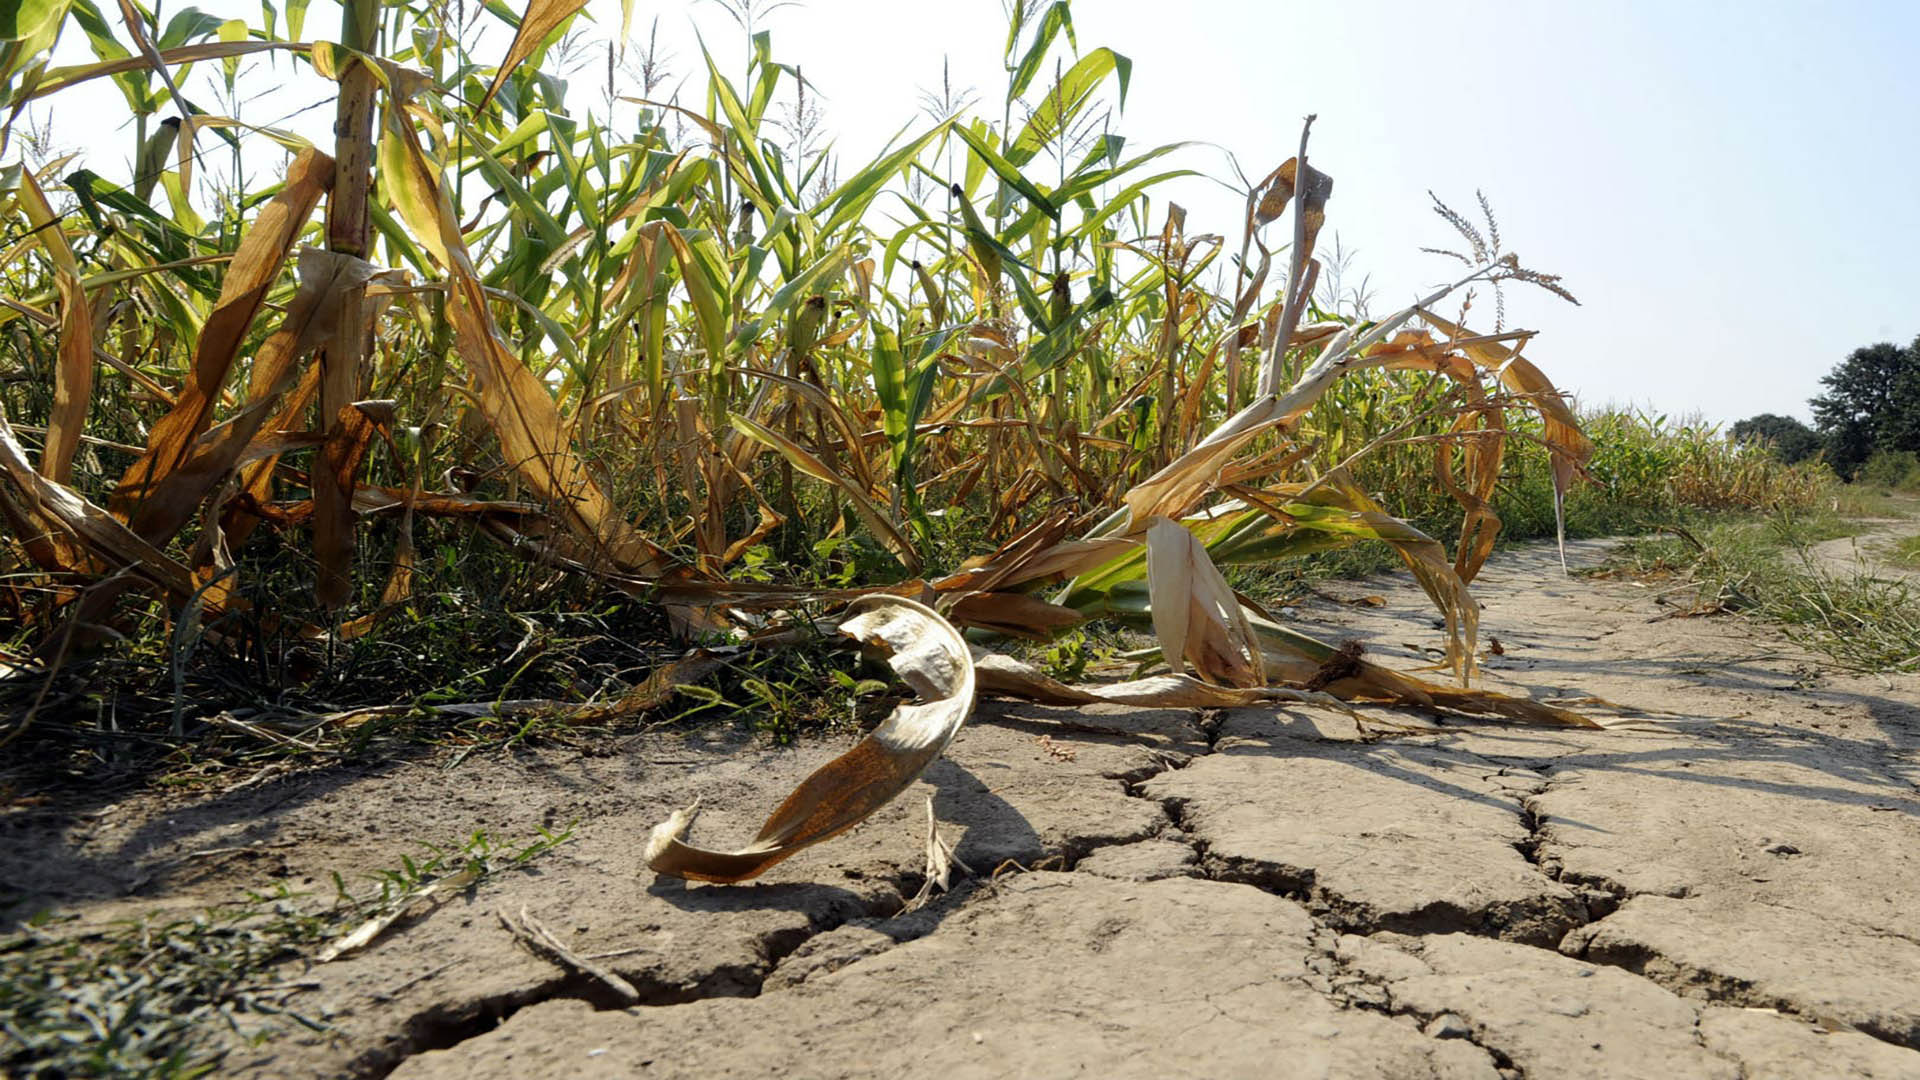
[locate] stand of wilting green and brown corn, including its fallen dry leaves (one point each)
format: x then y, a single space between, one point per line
642 356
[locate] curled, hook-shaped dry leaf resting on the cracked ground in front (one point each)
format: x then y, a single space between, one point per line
934 660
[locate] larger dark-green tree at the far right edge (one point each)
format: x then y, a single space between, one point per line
1873 403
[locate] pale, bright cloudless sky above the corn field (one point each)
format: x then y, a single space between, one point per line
1733 191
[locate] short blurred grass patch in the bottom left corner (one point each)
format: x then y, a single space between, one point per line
158 998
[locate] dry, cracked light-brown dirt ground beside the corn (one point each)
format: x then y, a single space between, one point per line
1255 893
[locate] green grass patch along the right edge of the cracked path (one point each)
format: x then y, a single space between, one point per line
1762 566
